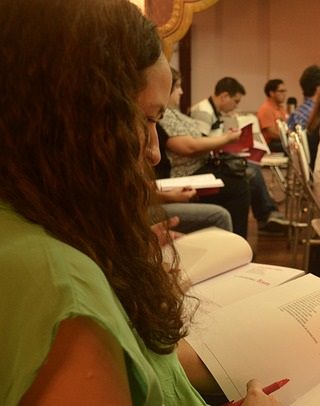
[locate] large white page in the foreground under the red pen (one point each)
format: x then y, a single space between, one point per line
270 336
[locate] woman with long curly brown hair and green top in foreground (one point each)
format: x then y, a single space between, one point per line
88 313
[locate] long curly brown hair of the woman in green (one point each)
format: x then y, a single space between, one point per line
70 73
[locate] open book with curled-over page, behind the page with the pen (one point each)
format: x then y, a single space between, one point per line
218 264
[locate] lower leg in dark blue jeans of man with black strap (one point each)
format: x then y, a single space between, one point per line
262 203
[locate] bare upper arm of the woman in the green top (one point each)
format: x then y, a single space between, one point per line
85 366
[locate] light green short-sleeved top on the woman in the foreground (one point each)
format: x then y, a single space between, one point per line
44 281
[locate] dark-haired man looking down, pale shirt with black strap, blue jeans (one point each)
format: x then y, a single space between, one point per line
208 113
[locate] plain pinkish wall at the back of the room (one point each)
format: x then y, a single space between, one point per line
254 40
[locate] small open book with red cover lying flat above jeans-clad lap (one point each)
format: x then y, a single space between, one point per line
205 184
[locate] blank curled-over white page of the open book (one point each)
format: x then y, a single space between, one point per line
210 252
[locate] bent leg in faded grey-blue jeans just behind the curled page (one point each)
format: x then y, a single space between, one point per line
195 216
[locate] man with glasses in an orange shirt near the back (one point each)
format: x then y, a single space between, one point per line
271 110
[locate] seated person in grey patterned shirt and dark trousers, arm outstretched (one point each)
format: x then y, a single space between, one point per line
189 154
